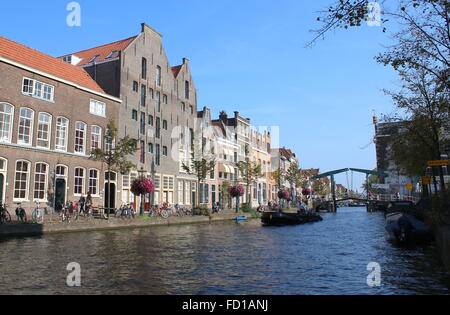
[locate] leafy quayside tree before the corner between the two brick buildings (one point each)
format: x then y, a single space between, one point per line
115 155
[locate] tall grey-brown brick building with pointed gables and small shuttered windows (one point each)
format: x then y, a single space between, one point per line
159 108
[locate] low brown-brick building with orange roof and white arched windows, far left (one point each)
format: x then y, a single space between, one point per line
52 115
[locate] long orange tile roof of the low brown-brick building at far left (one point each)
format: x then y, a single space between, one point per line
37 60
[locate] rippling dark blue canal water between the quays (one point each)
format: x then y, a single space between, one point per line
329 257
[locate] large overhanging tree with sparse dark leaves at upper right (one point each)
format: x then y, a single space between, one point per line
420 53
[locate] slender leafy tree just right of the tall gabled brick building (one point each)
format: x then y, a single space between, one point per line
201 164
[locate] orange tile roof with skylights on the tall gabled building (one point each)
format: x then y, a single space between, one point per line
101 51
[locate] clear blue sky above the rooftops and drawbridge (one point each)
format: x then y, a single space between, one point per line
245 55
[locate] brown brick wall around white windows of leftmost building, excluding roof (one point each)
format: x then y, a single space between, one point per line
69 102
